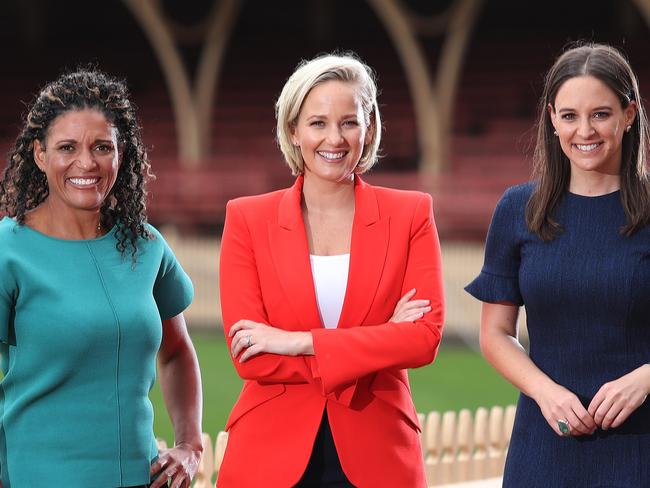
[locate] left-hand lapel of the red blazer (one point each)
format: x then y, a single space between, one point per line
290 252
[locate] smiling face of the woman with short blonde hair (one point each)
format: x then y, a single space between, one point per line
331 131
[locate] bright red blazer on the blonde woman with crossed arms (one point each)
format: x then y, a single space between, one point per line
357 372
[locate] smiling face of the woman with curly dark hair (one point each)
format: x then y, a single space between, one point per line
80 159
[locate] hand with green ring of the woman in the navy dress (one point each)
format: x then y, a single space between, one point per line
558 403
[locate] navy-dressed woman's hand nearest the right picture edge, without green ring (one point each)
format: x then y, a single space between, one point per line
617 399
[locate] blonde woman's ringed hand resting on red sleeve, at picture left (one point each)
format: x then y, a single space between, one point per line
255 338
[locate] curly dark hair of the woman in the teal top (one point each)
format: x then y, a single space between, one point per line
23 186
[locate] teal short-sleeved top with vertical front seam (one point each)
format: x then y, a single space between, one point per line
80 328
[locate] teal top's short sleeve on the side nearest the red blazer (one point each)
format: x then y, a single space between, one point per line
173 289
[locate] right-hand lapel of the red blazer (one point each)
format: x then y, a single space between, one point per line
367 255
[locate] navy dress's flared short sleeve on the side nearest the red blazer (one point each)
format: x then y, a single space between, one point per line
499 277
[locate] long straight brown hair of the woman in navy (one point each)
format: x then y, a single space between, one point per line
551 167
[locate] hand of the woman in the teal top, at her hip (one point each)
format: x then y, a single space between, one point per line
177 466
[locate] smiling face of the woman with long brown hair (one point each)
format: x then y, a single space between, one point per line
590 123
